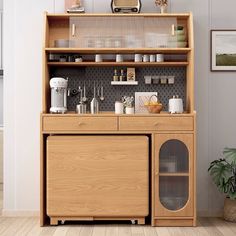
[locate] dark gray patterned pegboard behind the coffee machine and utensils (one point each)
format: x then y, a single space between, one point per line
103 75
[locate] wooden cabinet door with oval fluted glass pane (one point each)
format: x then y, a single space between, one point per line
173 181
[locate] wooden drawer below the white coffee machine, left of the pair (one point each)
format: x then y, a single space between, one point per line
75 123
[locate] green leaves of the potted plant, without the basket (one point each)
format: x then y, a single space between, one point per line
223 173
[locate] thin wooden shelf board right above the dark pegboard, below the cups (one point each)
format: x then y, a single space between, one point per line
134 64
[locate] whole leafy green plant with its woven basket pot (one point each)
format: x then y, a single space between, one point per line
223 173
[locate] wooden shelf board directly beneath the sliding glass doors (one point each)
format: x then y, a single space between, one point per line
119 50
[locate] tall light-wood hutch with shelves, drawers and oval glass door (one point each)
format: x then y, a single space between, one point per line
118 167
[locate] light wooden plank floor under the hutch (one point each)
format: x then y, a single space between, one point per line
10 226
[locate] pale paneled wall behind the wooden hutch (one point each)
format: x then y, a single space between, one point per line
215 95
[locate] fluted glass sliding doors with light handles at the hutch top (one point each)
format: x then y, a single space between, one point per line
122 32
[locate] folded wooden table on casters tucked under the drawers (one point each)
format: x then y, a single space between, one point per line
96 177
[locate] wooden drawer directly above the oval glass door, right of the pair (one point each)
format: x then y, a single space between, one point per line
156 123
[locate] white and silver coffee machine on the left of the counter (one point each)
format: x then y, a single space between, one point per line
58 95
